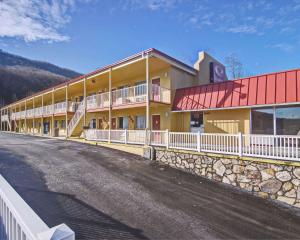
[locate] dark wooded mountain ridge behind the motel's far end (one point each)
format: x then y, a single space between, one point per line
21 77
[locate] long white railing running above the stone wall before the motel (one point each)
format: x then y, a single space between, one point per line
265 146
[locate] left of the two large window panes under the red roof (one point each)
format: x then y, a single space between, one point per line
262 121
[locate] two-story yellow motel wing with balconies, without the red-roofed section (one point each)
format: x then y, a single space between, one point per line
134 93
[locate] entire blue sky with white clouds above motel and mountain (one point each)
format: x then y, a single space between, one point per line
86 34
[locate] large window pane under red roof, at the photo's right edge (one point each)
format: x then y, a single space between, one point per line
287 120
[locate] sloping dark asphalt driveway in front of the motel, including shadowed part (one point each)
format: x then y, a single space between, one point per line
106 194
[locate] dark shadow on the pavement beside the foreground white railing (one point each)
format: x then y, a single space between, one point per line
55 207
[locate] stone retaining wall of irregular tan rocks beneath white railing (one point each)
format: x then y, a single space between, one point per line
267 180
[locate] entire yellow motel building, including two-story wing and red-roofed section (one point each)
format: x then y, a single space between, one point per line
152 90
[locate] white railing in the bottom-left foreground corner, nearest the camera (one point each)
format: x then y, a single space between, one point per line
19 222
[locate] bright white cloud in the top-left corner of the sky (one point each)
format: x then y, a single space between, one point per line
34 20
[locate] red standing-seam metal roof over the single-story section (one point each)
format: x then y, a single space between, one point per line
267 89
